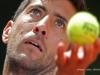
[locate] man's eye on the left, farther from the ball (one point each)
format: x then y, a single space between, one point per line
37 14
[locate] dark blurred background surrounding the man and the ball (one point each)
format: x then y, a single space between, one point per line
7 10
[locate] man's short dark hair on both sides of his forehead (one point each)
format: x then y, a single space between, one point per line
78 4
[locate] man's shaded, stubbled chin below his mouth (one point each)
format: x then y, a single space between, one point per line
25 62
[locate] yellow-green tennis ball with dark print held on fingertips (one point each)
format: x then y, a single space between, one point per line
83 28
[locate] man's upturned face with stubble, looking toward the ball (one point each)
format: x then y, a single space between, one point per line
35 35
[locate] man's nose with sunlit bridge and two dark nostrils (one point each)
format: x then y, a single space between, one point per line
42 26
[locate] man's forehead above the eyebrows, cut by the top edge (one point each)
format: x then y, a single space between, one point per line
54 3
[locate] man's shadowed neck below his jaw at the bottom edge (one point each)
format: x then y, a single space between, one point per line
15 69
